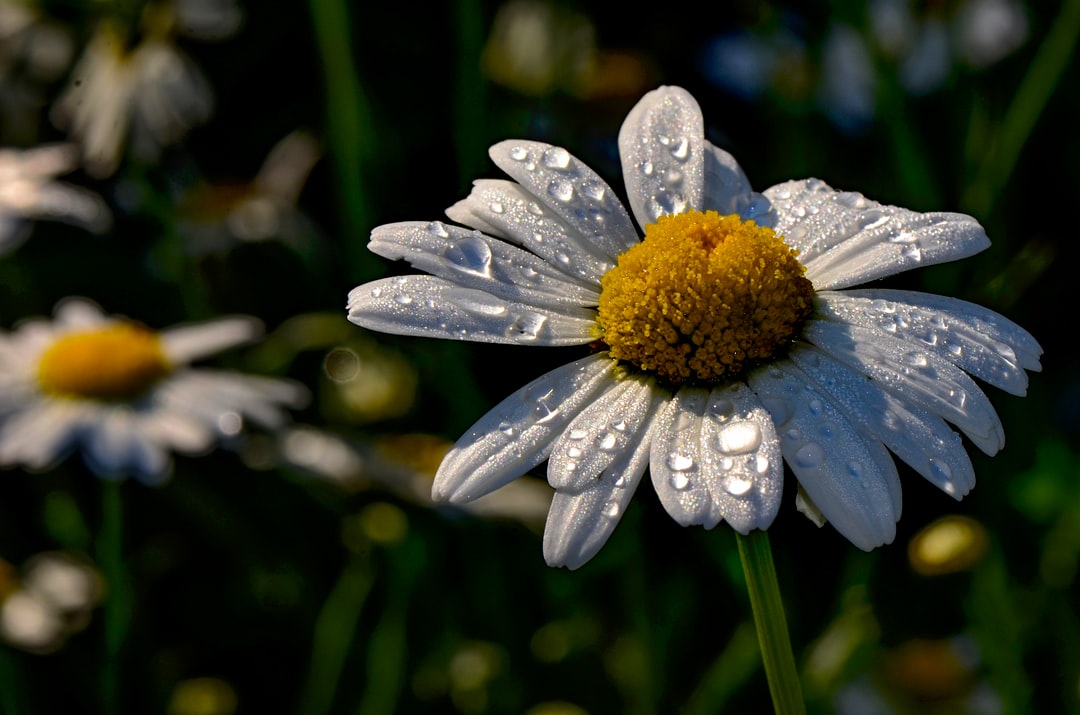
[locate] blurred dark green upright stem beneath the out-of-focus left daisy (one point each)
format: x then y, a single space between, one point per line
118 603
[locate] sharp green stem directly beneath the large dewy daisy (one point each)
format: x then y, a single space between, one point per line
772 625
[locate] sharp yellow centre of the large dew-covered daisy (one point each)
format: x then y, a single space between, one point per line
703 298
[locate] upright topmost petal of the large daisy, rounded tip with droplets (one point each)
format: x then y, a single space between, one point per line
663 147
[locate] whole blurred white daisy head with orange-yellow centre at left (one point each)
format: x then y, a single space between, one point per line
126 396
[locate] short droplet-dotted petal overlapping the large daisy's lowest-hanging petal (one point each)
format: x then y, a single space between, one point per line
602 433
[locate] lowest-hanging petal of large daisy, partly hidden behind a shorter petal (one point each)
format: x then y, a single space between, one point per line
580 523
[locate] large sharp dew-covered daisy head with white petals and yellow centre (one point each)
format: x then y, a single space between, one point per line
728 341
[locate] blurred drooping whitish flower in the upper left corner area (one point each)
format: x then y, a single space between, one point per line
152 93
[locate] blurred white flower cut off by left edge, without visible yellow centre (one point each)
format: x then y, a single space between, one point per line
29 191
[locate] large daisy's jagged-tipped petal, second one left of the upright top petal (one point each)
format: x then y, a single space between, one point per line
507 211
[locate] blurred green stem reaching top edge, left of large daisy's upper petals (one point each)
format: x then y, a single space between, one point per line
349 128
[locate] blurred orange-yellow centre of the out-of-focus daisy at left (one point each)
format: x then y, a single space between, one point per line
117 362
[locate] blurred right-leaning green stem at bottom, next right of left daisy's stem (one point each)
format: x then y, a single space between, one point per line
334 633
